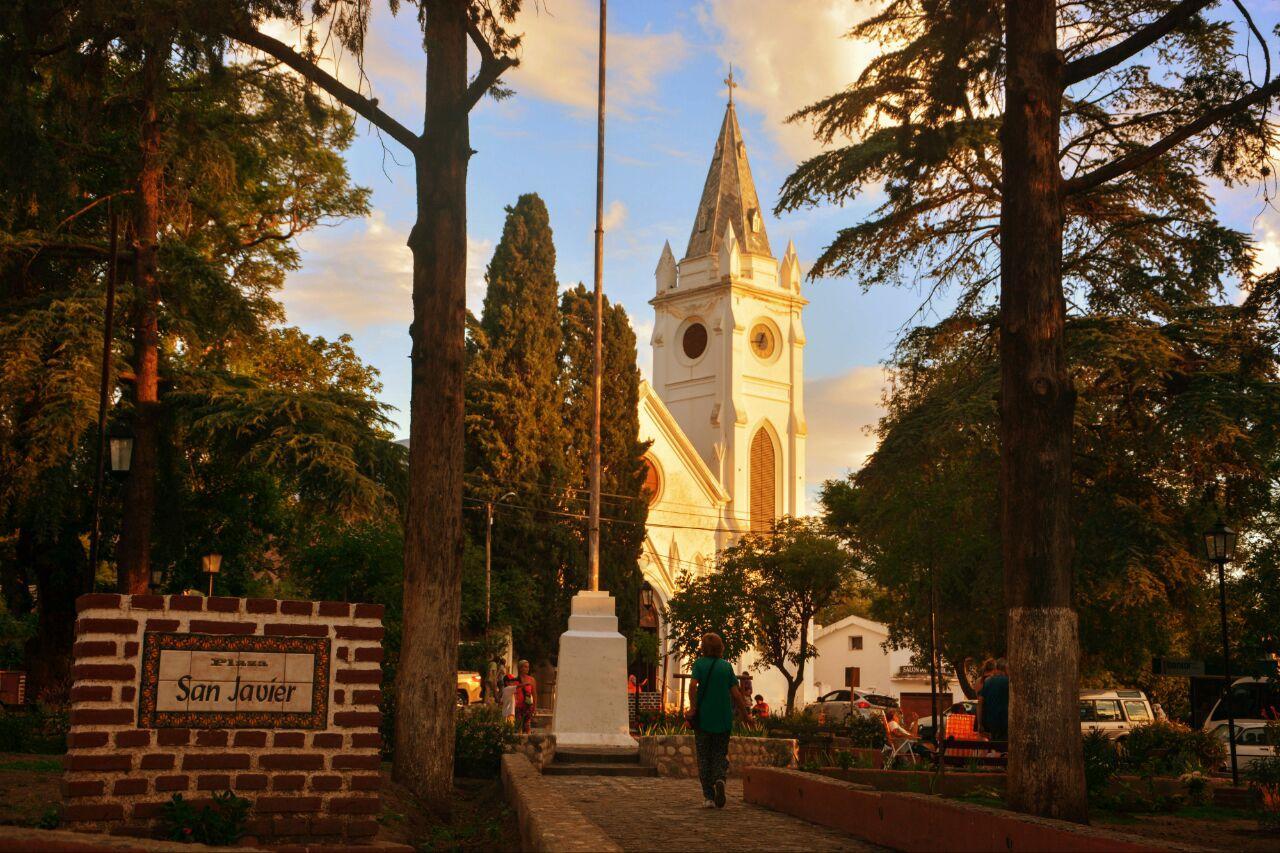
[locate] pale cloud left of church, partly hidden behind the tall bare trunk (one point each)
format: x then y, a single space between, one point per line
362 276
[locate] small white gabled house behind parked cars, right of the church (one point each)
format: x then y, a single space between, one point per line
852 654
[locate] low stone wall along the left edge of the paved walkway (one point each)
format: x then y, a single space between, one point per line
548 823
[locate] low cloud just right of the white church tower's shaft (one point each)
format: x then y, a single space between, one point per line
839 410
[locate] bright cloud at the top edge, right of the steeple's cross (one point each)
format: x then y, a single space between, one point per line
785 61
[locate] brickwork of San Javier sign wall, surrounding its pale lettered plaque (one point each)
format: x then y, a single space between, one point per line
304 784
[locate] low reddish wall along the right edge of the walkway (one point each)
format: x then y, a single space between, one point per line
904 822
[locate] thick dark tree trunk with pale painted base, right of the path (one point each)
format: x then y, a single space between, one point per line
1046 765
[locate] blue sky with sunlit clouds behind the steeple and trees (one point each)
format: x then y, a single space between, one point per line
666 102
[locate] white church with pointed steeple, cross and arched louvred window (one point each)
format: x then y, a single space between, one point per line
725 410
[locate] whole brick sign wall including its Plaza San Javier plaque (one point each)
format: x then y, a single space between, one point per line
277 701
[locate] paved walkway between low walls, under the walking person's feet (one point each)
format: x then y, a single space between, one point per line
664 815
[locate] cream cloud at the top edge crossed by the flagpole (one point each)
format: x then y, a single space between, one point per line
559 58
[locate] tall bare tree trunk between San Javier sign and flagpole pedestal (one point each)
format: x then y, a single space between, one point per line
426 686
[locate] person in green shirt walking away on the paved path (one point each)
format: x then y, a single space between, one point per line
714 695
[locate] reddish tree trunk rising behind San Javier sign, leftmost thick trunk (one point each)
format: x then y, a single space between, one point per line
134 553
